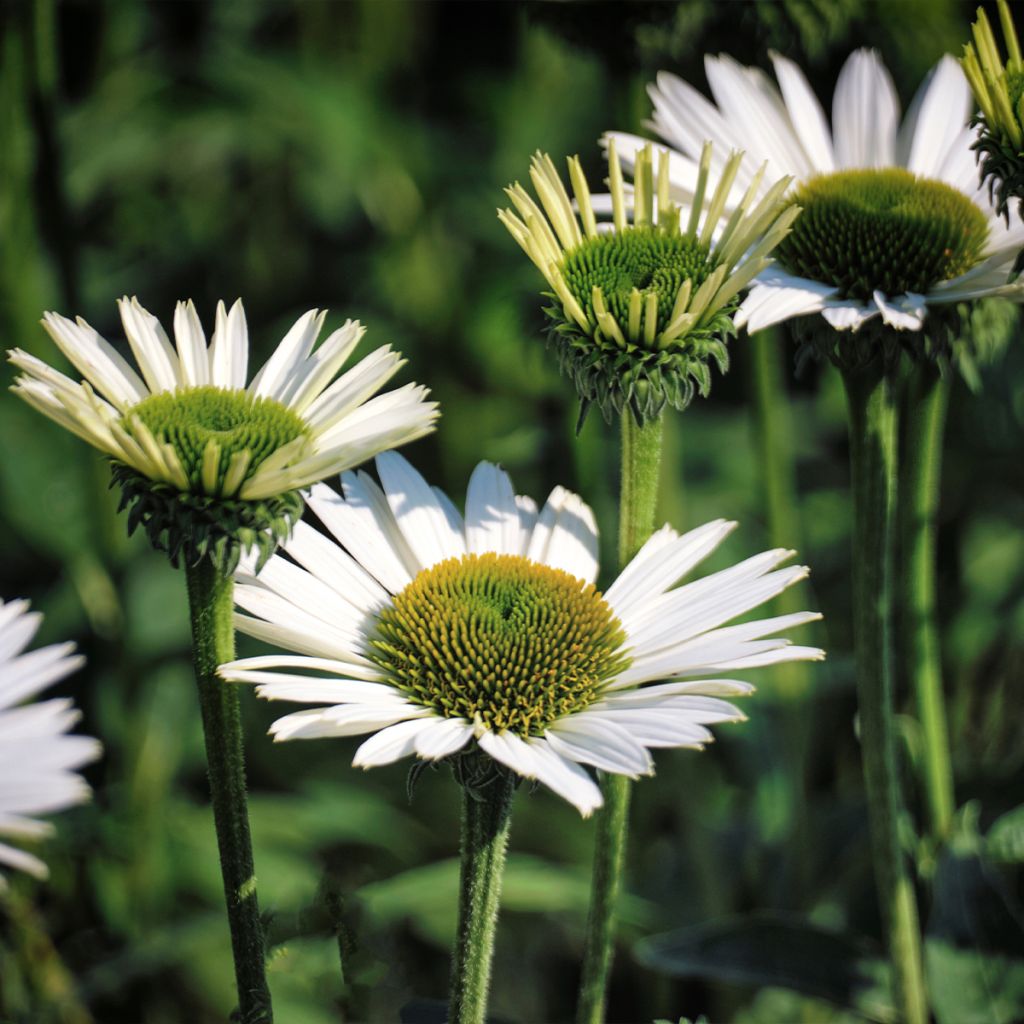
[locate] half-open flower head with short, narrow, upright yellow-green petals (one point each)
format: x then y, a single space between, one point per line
644 304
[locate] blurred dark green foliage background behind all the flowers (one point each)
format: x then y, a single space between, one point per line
352 155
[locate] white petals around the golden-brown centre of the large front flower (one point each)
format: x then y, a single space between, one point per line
664 689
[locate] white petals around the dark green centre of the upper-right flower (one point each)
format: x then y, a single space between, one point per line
787 126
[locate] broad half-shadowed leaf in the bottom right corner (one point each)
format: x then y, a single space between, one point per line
974 952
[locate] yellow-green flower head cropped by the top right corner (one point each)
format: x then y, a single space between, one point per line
999 92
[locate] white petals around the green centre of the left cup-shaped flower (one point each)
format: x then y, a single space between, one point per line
345 423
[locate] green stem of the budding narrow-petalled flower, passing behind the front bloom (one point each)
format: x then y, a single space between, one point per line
638 499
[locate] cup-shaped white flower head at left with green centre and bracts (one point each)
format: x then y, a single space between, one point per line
208 463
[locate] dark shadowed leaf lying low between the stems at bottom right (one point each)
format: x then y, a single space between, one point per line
779 952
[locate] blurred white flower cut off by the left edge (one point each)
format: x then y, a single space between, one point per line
38 759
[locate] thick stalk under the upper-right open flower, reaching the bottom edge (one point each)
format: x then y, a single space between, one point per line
874 439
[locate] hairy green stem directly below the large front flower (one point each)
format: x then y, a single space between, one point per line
487 817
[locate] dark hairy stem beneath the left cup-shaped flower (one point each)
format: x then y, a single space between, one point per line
211 604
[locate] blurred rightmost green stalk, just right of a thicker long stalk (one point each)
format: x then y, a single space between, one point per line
925 403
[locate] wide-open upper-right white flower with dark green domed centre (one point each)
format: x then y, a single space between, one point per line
894 220
